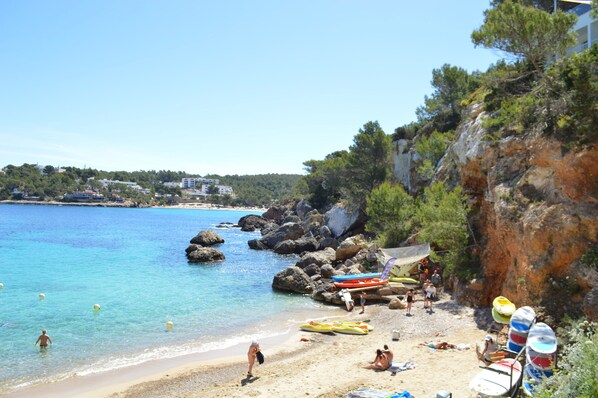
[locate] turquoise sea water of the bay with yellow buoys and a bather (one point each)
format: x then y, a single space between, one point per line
132 262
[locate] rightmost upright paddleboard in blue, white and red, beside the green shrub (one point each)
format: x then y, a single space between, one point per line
540 353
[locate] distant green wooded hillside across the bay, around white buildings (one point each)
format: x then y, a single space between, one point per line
48 183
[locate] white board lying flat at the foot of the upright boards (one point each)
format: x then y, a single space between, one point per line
498 379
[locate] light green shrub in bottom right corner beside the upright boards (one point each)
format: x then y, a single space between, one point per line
577 372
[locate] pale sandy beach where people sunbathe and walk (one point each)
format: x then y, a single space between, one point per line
325 366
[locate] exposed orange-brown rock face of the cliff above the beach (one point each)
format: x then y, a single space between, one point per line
535 214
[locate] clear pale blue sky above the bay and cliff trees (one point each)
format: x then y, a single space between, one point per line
217 87
